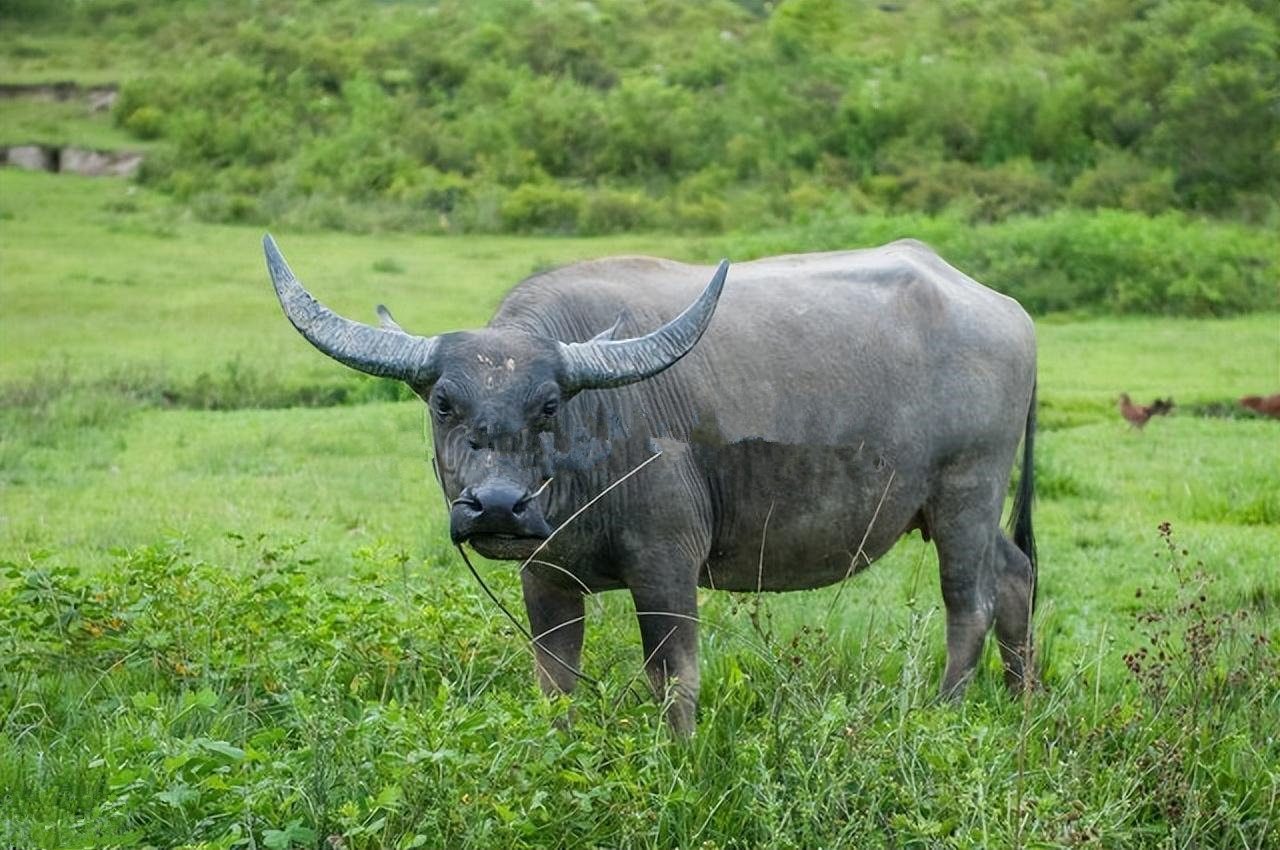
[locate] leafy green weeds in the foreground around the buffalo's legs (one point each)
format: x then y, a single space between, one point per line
390 710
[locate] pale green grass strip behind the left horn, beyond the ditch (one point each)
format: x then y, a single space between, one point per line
129 284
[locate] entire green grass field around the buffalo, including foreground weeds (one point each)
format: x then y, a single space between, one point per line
230 616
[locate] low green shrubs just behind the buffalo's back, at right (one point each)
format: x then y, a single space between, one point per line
1072 261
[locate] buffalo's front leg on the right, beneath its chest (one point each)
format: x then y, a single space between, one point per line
669 629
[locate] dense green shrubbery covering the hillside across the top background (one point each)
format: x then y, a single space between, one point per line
593 117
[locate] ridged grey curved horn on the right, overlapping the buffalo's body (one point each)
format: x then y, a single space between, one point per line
612 363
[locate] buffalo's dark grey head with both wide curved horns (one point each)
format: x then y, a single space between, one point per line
495 397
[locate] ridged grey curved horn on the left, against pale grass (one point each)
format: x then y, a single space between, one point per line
378 351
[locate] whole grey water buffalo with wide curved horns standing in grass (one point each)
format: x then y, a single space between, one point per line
836 403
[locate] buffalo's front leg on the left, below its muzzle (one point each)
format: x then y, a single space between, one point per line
556 623
